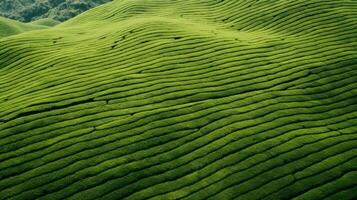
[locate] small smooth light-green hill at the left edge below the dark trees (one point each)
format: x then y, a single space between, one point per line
11 27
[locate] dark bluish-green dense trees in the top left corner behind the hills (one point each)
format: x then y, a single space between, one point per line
60 10
